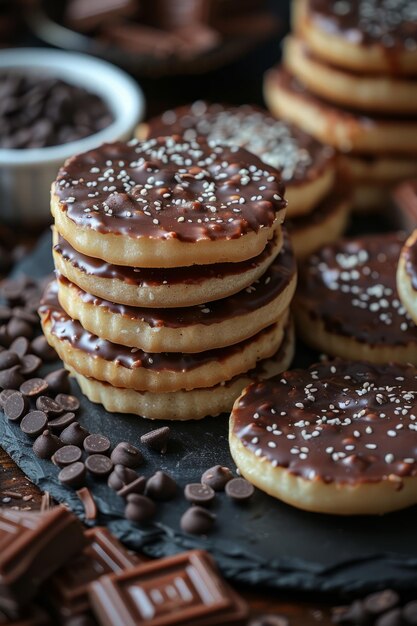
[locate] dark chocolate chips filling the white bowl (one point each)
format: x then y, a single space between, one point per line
39 111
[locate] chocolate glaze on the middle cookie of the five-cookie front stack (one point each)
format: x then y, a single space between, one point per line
262 291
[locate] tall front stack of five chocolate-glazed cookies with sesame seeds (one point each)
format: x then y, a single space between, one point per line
174 275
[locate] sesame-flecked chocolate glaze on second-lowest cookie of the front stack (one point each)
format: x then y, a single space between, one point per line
71 331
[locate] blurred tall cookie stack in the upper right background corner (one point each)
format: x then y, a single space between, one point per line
348 78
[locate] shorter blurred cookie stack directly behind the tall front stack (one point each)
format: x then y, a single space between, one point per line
317 210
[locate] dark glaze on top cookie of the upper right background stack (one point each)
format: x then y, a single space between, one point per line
383 22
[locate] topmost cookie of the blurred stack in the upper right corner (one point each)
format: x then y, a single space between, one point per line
375 36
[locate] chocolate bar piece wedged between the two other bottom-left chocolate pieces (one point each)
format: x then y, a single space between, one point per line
68 589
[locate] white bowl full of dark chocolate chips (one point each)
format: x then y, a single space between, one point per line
53 105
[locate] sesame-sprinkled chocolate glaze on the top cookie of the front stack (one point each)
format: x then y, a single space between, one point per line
170 188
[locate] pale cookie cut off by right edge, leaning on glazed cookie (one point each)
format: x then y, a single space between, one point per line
407 276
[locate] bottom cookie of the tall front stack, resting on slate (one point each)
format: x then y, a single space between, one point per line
185 405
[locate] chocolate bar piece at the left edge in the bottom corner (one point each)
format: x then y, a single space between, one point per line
32 547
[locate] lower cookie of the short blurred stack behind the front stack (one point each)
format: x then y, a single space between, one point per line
324 225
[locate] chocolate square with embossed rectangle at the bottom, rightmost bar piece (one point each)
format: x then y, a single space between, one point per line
182 589
